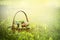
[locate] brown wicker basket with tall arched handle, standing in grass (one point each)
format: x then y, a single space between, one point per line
24 27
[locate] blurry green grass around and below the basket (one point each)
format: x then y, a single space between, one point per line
36 33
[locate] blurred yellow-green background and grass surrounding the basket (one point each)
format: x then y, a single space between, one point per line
44 19
